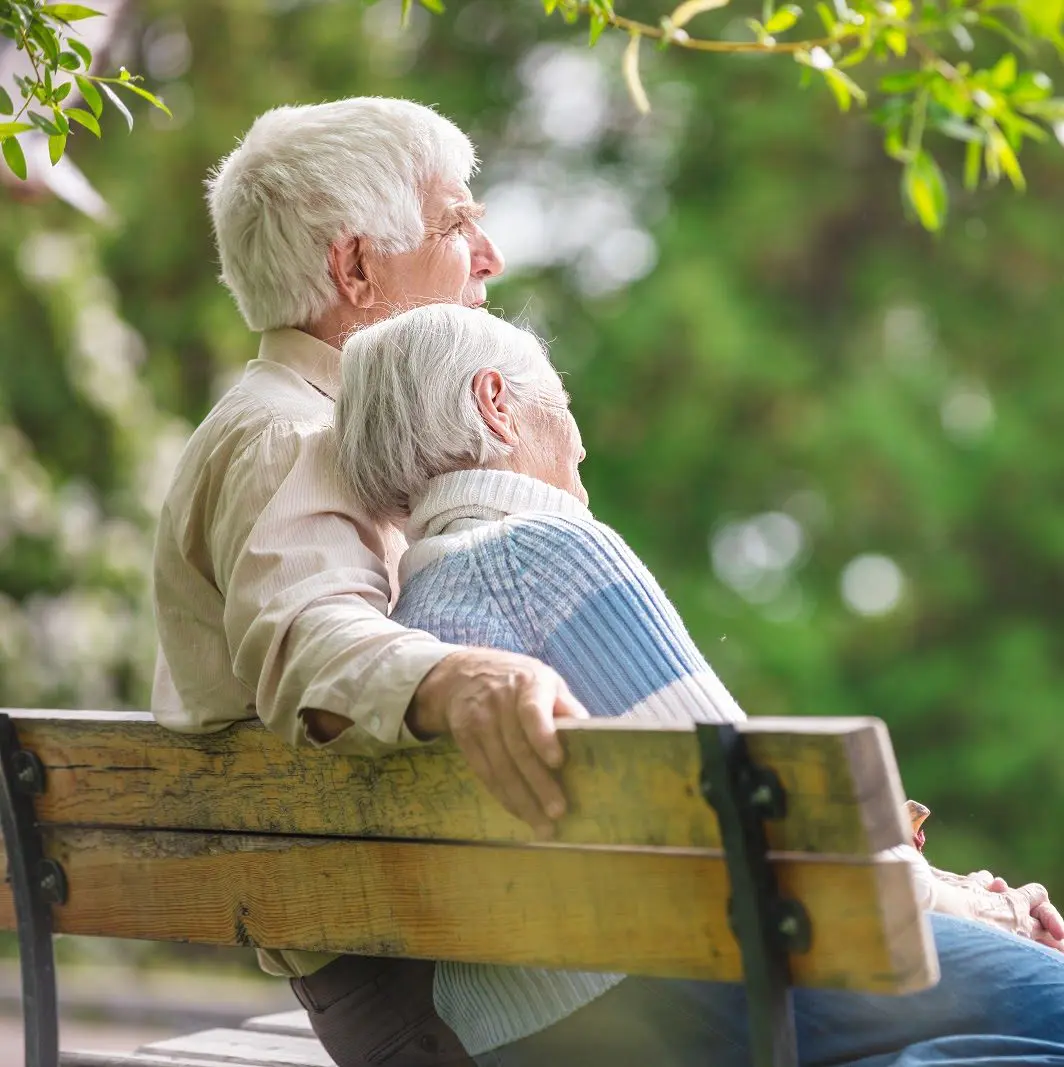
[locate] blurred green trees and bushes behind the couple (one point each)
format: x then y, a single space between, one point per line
799 351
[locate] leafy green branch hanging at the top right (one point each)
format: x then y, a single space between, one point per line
913 59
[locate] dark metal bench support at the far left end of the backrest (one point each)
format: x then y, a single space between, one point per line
37 885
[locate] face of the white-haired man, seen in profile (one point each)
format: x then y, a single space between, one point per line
452 264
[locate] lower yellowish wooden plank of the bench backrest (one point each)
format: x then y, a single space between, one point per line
659 913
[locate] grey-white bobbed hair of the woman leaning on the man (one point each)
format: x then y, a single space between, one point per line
407 412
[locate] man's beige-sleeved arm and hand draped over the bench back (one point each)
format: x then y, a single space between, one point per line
306 596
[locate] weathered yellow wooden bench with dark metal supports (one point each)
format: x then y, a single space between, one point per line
117 827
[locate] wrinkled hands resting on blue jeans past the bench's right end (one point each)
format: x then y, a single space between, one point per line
1026 912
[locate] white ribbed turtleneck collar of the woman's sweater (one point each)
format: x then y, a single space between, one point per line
485 496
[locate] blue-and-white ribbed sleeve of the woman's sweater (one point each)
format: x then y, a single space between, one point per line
593 612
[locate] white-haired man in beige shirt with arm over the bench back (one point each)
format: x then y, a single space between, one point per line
272 591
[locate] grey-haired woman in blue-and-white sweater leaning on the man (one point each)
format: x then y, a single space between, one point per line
455 424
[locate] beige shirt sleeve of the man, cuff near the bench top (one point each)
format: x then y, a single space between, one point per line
307 596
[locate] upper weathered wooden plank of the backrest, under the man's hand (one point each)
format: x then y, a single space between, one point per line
628 785
